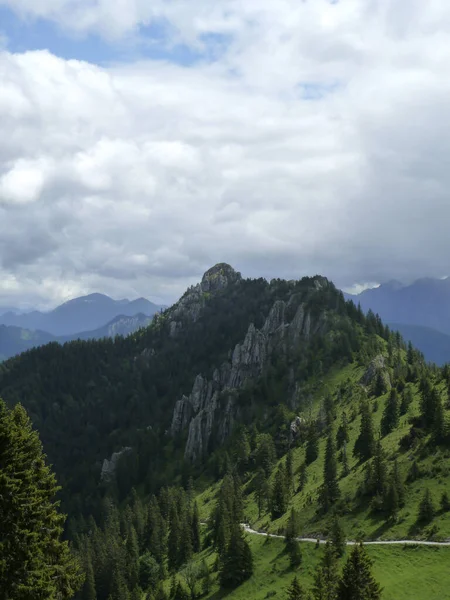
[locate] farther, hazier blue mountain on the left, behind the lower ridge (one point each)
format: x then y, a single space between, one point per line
80 314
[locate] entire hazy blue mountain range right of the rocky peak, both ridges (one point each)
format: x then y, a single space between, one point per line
420 311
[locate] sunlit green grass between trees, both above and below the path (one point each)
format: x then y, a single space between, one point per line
406 573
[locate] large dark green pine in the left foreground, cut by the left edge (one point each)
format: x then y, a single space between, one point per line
34 562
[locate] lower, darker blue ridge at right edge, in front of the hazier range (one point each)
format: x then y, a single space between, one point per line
434 344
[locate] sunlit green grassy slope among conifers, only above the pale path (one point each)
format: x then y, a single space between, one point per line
357 518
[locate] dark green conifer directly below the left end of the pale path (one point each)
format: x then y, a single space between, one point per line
236 564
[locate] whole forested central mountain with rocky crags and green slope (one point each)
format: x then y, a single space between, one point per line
243 401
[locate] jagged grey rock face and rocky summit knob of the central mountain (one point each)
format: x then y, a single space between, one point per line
210 410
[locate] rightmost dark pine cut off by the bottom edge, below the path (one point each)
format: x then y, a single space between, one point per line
357 582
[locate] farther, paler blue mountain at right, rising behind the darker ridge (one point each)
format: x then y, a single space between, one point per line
425 302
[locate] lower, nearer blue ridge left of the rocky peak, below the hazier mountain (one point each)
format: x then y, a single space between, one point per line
14 340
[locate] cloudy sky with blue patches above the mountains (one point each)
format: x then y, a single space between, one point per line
142 142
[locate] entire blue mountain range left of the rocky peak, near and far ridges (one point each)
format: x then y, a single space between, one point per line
89 317
